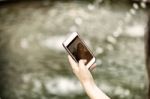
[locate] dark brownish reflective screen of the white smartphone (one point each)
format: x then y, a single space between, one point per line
79 50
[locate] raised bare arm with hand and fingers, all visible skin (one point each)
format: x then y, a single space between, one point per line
86 79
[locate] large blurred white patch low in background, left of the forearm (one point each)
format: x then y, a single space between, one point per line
63 86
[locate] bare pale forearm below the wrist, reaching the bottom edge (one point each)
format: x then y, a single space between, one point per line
94 92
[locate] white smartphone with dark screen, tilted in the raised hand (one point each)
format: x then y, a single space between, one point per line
77 49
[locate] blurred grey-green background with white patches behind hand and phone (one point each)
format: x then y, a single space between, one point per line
34 65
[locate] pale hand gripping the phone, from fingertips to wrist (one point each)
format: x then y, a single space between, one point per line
81 71
